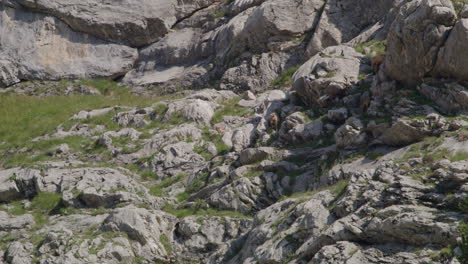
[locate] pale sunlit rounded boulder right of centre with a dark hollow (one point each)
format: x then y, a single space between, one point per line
327 74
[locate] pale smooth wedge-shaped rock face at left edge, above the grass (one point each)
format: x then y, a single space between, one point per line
43 47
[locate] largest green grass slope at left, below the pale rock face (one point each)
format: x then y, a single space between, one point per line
27 117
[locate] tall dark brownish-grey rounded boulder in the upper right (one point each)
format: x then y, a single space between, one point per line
415 38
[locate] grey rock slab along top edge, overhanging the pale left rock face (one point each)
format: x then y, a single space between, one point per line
132 22
